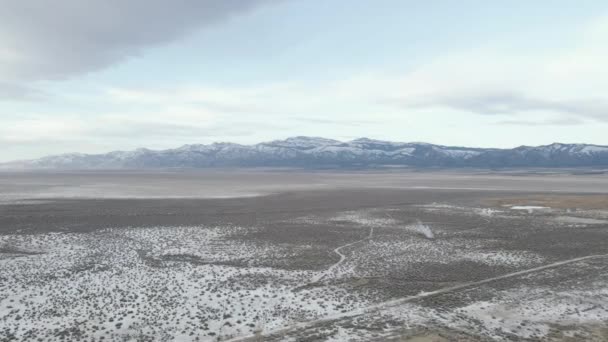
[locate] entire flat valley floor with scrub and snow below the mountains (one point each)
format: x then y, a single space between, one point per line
284 255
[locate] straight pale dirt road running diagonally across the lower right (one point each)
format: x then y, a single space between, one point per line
399 301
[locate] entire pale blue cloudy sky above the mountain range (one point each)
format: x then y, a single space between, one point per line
102 75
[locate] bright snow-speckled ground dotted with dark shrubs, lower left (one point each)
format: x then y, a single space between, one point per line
186 282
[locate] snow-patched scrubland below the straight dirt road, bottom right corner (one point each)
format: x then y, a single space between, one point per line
548 303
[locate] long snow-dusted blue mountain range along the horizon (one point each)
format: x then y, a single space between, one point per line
320 152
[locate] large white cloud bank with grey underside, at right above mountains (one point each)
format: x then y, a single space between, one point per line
493 80
